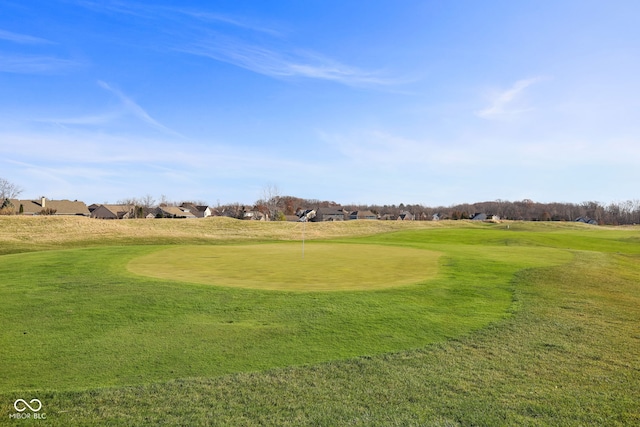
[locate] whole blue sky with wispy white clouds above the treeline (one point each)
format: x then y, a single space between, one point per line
385 102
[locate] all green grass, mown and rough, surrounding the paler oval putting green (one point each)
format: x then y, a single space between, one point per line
532 325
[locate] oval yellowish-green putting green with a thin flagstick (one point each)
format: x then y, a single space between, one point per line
284 266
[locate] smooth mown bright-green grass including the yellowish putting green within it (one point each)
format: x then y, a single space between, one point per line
134 314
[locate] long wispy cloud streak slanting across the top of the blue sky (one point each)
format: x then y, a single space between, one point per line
258 48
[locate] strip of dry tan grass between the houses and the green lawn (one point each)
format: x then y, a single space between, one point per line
21 232
